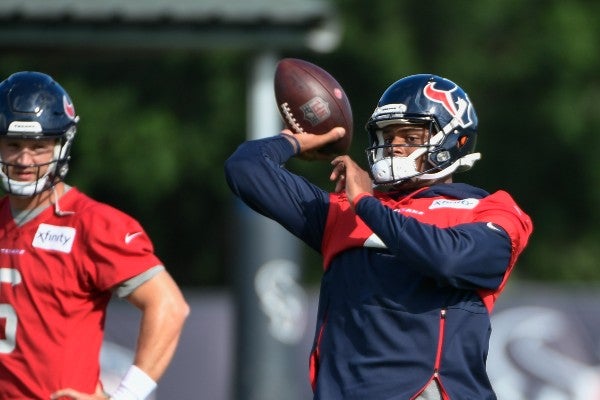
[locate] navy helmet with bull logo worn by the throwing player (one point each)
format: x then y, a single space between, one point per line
426 100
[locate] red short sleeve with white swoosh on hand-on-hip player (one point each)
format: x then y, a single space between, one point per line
117 247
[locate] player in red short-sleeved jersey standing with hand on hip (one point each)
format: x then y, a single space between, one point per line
62 256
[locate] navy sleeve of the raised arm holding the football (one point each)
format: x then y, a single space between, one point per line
256 174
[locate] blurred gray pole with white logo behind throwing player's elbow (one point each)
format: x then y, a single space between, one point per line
271 306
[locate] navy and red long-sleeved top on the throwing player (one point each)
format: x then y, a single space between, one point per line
409 279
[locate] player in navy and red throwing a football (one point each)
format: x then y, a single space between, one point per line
413 262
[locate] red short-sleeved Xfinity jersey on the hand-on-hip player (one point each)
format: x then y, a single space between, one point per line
56 276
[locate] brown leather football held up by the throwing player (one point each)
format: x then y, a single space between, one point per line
310 100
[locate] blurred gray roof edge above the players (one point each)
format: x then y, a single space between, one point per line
168 24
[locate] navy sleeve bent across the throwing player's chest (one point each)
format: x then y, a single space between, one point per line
468 256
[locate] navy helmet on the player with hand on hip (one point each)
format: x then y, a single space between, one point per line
34 106
